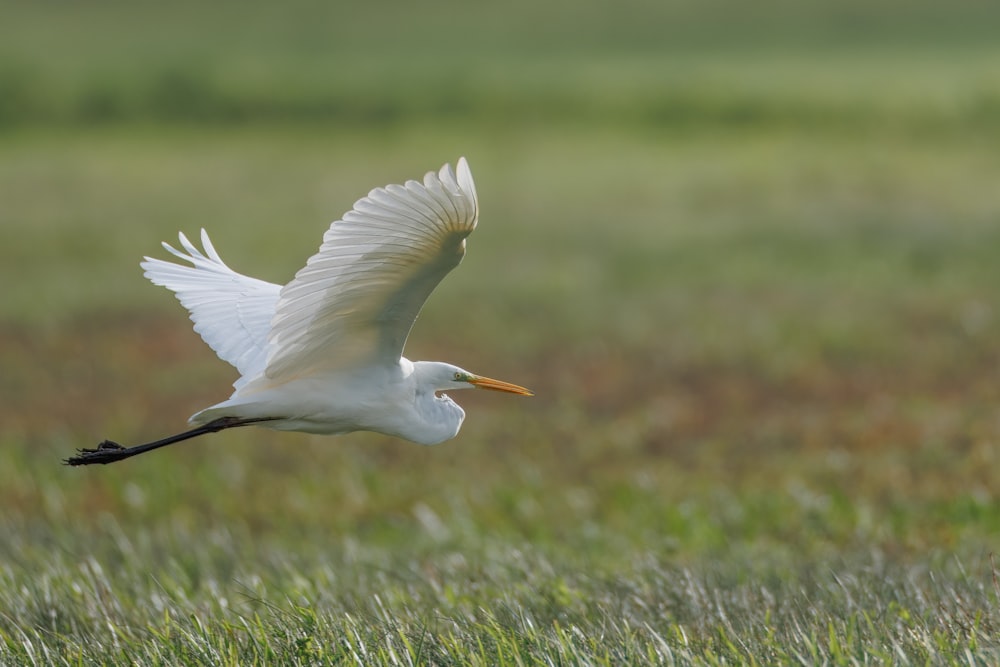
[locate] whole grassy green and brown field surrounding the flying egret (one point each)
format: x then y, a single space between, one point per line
748 260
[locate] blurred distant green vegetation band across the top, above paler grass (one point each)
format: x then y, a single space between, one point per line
780 63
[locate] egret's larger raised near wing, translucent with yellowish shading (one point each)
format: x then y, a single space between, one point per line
354 302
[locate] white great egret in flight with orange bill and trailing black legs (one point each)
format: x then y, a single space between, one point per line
323 353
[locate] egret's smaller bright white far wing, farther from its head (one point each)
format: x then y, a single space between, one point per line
232 312
